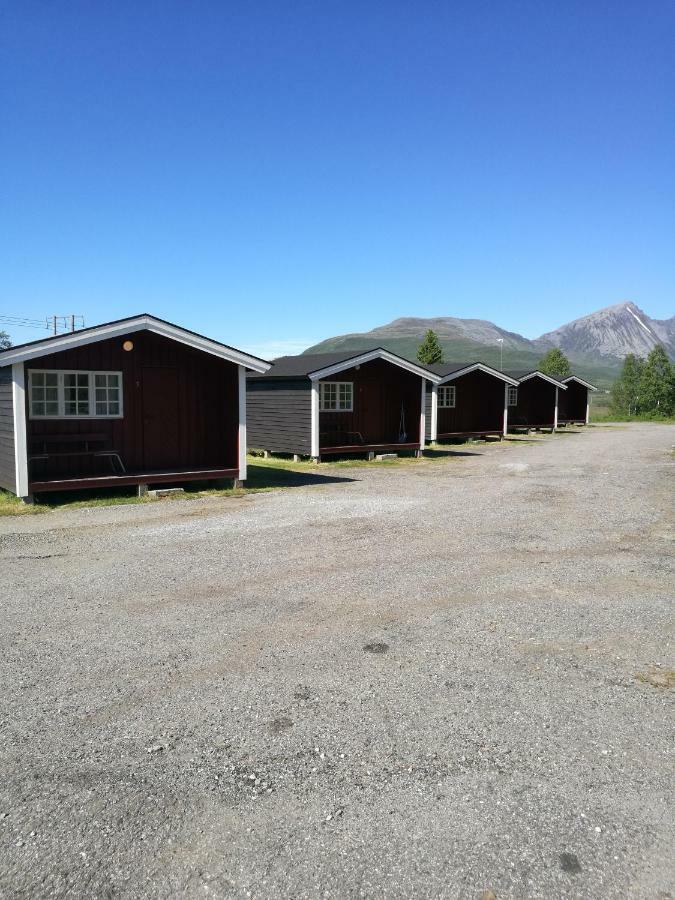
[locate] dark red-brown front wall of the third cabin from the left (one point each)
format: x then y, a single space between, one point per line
479 400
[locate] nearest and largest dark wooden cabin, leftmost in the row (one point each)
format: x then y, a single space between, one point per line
133 402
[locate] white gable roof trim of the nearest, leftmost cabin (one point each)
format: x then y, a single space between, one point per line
128 326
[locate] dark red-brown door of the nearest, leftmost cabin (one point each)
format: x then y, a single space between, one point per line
160 418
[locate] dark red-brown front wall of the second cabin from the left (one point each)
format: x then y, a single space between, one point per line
380 388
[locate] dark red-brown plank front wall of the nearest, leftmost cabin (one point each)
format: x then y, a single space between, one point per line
196 415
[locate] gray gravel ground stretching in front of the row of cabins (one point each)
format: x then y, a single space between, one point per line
433 680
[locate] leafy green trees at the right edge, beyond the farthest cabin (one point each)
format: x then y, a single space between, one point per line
645 387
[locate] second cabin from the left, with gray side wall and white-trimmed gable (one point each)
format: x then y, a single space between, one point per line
338 403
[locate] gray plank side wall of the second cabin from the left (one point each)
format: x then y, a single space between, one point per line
279 415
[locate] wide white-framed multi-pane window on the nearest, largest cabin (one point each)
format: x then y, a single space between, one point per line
75 395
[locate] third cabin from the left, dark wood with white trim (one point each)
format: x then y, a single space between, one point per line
468 401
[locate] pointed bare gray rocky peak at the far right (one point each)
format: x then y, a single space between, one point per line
614 332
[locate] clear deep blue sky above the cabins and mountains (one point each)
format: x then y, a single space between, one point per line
272 172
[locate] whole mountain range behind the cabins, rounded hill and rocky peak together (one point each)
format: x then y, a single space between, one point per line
595 344
